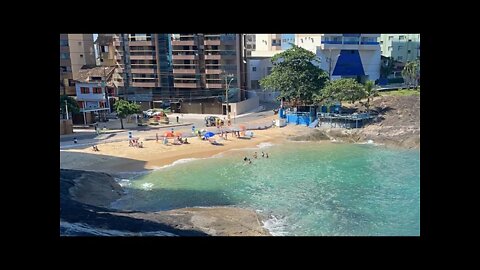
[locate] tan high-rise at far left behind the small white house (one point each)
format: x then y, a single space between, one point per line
76 51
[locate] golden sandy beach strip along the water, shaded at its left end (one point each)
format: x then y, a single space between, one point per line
118 157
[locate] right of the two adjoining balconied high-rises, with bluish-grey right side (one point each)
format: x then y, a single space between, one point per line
204 66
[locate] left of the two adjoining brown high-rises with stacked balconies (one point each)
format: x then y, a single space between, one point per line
143 65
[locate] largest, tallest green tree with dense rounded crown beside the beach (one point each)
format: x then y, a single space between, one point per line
295 75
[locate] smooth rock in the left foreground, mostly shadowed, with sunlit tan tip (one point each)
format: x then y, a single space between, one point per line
85 196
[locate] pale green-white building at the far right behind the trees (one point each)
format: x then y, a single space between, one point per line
402 47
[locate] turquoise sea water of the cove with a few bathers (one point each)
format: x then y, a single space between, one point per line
302 189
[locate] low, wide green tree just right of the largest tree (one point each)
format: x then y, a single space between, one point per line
341 90
